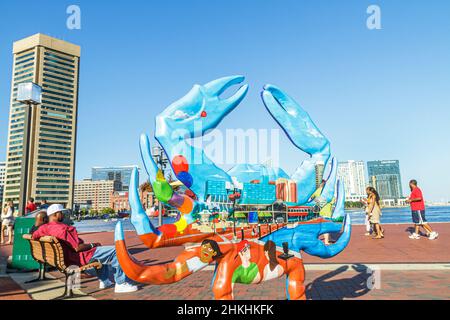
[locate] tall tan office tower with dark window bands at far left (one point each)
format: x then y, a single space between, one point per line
54 65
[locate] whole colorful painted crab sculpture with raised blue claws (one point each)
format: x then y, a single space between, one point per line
259 256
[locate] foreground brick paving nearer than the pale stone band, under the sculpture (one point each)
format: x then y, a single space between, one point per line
338 284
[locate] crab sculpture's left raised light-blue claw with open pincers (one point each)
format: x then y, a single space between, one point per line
192 116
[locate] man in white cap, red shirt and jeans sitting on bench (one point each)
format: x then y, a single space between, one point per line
84 253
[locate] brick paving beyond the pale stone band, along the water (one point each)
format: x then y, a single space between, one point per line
396 247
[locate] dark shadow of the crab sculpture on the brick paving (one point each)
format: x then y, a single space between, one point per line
325 288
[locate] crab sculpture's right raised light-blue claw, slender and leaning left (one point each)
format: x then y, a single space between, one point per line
303 133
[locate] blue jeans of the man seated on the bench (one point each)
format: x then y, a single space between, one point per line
106 255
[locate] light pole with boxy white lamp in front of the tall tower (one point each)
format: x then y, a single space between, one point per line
28 93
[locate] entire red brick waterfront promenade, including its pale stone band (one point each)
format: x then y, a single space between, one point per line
405 269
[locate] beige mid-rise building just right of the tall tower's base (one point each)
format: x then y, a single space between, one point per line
97 194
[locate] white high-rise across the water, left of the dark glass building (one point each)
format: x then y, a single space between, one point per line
352 174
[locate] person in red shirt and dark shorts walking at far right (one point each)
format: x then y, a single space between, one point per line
418 212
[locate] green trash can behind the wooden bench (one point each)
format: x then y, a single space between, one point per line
21 256
